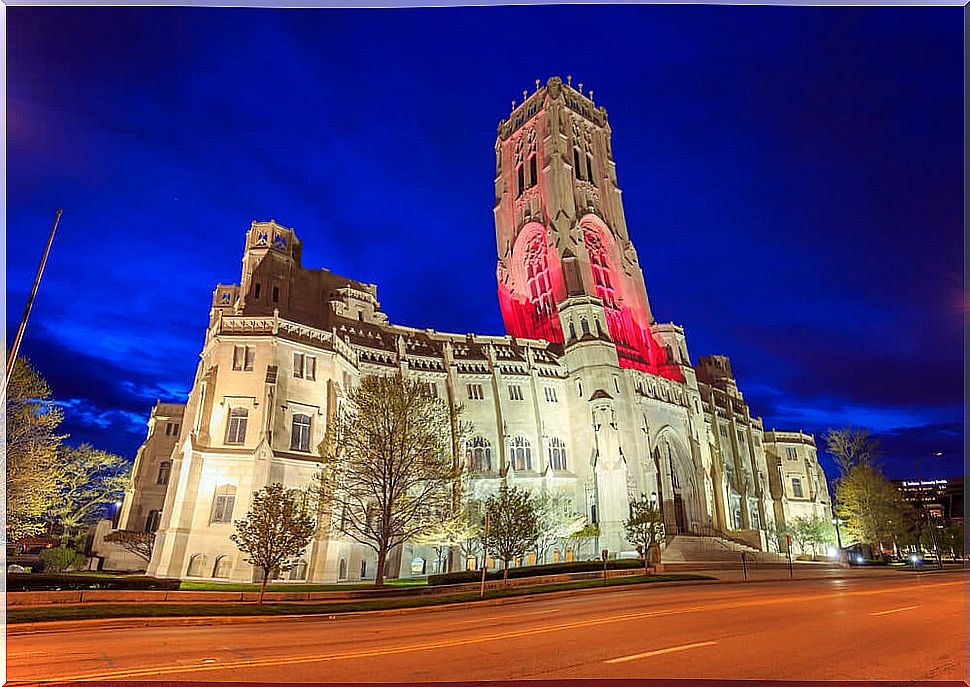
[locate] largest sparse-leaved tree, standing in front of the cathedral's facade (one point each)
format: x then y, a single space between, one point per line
388 464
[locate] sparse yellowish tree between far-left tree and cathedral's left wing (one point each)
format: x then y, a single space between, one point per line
88 480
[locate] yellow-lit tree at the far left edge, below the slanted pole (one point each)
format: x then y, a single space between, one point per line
31 451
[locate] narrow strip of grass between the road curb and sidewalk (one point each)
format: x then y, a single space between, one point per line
144 610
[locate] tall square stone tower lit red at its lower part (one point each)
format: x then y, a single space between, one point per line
566 266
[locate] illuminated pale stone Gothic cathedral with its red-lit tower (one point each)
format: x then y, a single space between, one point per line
586 394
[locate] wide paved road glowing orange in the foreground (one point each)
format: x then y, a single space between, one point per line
905 626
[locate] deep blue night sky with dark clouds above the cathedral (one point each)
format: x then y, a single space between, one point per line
792 180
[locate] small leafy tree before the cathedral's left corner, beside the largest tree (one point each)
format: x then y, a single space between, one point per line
277 528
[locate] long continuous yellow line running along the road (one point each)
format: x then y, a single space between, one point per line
463 641
